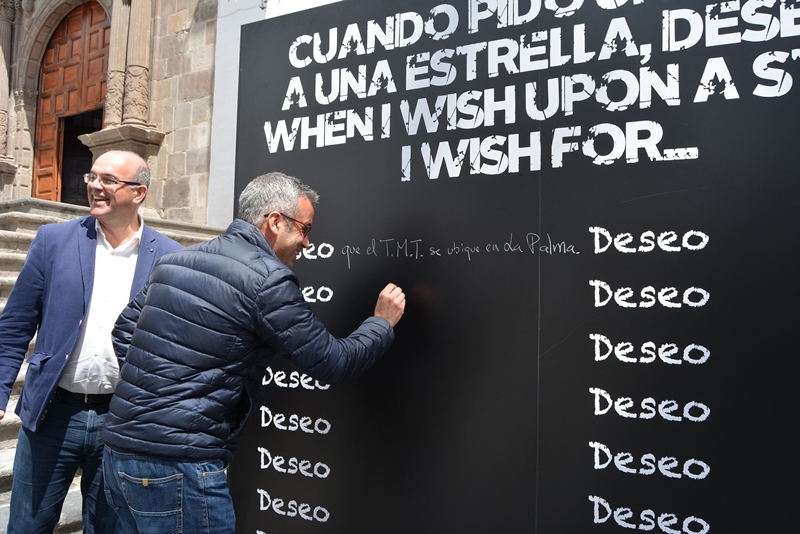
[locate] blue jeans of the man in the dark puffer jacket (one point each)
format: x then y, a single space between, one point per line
161 496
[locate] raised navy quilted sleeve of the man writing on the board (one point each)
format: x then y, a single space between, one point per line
287 323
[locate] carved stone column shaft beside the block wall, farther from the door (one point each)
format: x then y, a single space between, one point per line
135 104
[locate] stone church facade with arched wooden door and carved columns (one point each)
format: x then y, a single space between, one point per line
80 77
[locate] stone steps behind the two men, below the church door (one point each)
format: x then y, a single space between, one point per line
19 221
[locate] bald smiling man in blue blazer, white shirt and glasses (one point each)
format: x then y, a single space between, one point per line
77 278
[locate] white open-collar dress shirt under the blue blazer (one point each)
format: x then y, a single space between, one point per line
93 367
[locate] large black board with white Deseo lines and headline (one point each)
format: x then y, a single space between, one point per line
510 398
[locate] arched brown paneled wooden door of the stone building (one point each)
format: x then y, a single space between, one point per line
72 81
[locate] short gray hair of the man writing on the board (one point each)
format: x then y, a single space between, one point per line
270 192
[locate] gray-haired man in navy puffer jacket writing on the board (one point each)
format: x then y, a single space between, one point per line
193 346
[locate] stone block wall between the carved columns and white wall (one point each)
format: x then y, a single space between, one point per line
184 34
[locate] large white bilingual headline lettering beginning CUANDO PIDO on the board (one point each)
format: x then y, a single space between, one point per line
504 38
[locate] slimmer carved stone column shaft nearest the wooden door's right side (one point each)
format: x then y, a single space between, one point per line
117 59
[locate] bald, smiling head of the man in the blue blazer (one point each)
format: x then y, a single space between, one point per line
116 206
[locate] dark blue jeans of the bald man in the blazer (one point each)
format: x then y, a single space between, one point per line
46 462
